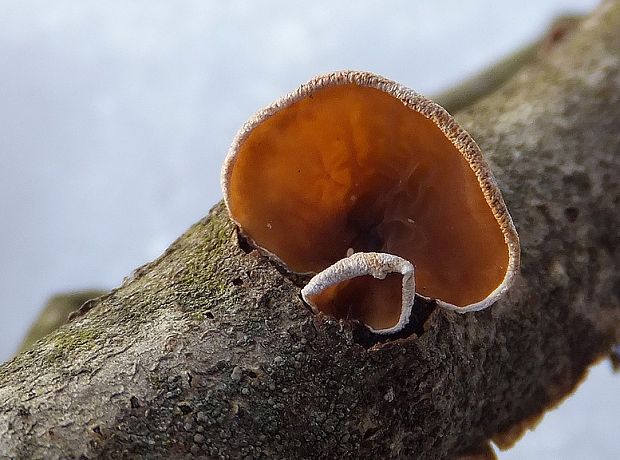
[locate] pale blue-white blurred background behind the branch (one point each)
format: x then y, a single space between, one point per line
115 117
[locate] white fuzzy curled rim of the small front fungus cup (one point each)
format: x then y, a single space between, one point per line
376 264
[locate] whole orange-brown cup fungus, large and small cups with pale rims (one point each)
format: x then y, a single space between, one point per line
357 179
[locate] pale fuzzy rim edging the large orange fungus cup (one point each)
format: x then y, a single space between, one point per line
442 119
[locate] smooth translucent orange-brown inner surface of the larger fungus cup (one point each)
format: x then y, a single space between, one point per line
350 167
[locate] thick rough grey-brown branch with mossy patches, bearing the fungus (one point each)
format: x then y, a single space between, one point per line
209 351
